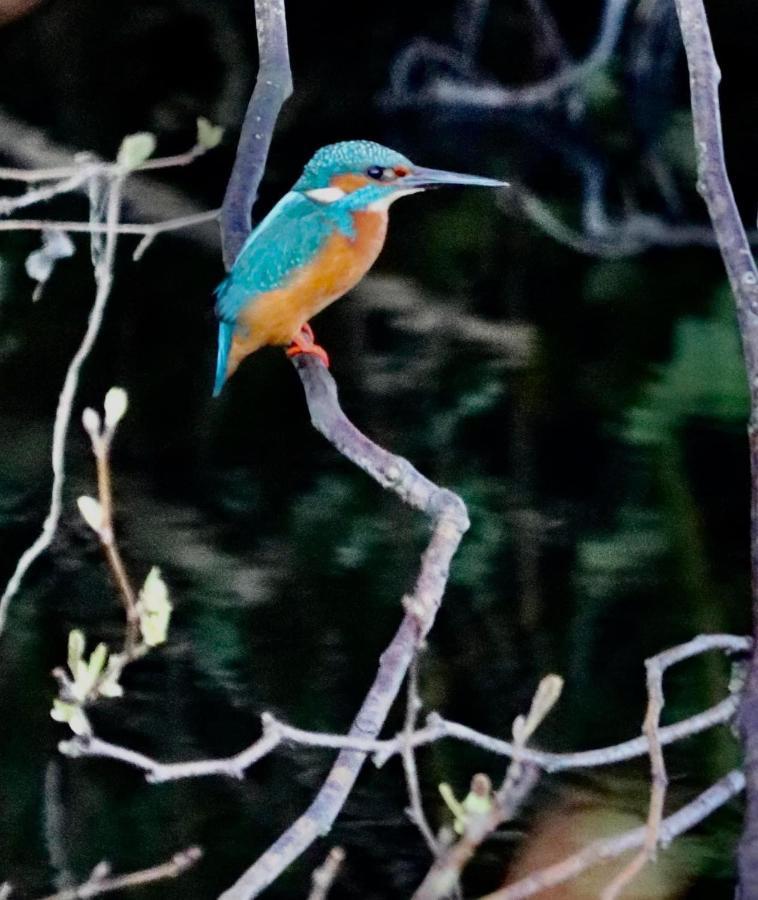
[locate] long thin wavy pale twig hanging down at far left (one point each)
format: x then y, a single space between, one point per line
104 281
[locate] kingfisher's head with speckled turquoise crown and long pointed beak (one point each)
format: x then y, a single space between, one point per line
373 176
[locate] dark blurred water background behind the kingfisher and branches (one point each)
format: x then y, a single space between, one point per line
595 427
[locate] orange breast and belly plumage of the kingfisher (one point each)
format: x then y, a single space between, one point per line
276 317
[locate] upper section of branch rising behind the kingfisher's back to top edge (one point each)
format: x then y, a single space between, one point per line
272 87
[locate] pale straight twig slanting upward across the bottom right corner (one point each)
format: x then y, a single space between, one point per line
610 848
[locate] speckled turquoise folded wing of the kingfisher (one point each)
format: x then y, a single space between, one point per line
285 239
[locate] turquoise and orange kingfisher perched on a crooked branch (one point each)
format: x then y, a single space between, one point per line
314 245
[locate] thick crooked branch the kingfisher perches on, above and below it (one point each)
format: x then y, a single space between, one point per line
445 509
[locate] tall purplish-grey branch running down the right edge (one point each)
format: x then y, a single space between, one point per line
714 186
